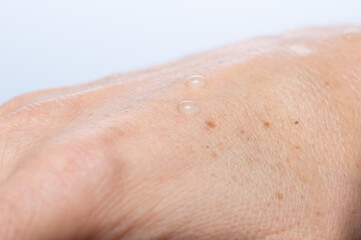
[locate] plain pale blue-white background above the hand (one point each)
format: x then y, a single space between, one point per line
47 43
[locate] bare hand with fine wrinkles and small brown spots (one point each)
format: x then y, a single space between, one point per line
274 152
